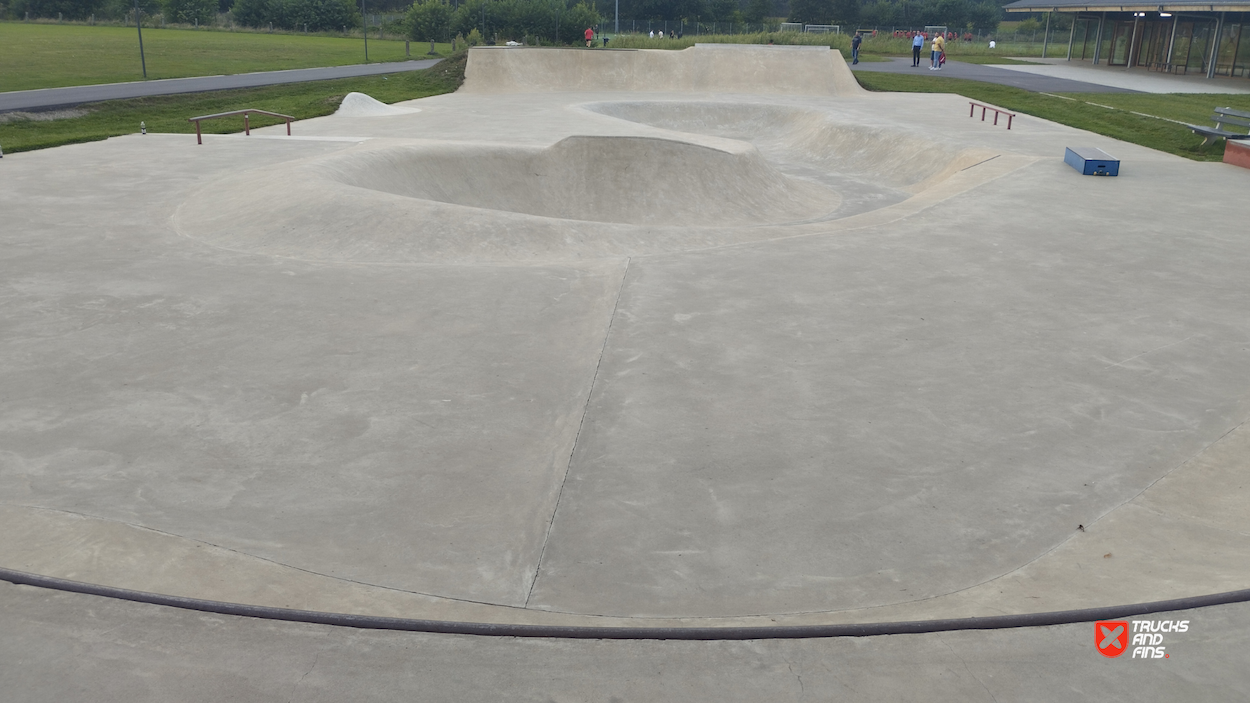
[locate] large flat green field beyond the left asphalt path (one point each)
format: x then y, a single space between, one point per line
38 56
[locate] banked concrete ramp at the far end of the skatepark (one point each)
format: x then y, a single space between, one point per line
703 68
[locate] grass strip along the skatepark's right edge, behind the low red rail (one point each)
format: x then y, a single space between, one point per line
1112 114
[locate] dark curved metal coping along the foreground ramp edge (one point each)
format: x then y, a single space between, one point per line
581 632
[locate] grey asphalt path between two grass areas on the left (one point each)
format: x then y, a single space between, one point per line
52 98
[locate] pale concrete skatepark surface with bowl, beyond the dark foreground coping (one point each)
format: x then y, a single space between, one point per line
633 345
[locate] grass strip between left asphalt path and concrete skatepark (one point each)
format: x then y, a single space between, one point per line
169 113
